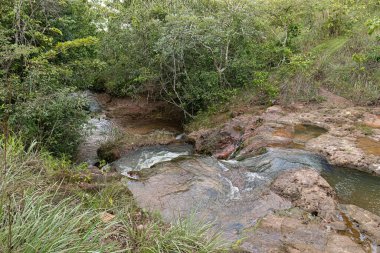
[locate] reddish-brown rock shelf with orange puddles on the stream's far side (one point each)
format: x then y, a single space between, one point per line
341 135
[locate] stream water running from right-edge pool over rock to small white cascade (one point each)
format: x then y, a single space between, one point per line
352 186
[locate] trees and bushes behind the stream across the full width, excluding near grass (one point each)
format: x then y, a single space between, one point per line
197 55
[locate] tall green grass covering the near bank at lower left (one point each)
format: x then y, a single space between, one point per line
36 216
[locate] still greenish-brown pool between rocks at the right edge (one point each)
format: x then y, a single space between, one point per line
355 187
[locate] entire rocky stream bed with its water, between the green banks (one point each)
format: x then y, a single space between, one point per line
295 179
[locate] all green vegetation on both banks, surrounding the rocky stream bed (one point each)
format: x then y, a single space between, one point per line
198 55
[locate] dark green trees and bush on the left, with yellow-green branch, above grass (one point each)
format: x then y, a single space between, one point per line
46 47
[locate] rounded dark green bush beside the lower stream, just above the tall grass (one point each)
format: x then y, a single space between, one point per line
55 121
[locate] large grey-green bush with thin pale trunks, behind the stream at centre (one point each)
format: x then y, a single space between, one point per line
195 53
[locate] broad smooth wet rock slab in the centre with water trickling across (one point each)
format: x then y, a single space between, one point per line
232 195
